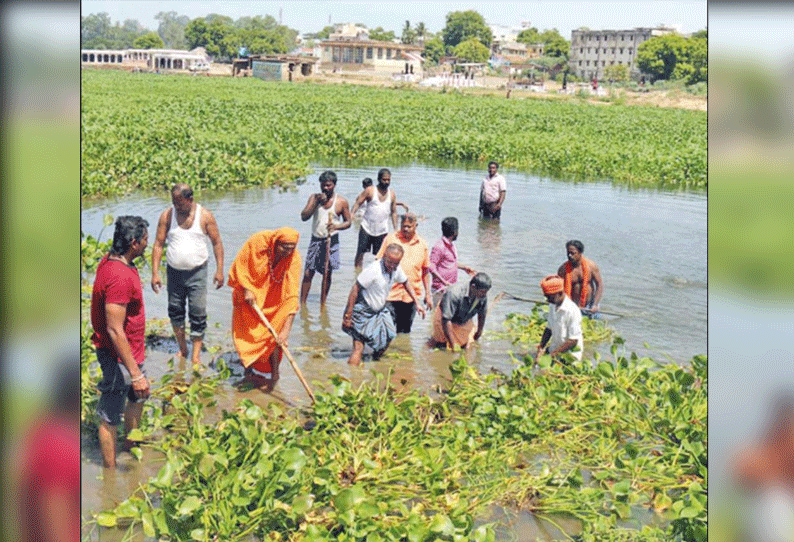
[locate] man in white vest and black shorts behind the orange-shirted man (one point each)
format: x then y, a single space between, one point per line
379 204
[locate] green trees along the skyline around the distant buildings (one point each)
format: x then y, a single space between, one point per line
465 35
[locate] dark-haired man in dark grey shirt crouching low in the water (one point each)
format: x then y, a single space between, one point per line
453 318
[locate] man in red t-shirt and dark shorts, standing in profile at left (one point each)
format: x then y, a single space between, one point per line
119 323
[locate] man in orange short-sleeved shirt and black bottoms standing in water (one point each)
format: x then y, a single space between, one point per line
416 264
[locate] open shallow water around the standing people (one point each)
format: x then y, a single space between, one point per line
650 246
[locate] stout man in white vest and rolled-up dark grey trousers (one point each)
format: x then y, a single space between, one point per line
184 228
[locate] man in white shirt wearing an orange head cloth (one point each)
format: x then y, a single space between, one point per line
563 332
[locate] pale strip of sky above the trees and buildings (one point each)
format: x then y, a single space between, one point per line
311 16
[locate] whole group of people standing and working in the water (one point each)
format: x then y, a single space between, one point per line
270 284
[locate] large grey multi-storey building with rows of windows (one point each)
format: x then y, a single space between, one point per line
594 50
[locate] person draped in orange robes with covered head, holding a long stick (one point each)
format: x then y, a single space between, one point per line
266 272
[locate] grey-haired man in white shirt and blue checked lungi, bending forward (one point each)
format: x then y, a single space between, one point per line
368 319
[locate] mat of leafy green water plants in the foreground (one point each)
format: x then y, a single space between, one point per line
592 440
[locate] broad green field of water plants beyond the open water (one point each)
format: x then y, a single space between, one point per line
148 131
